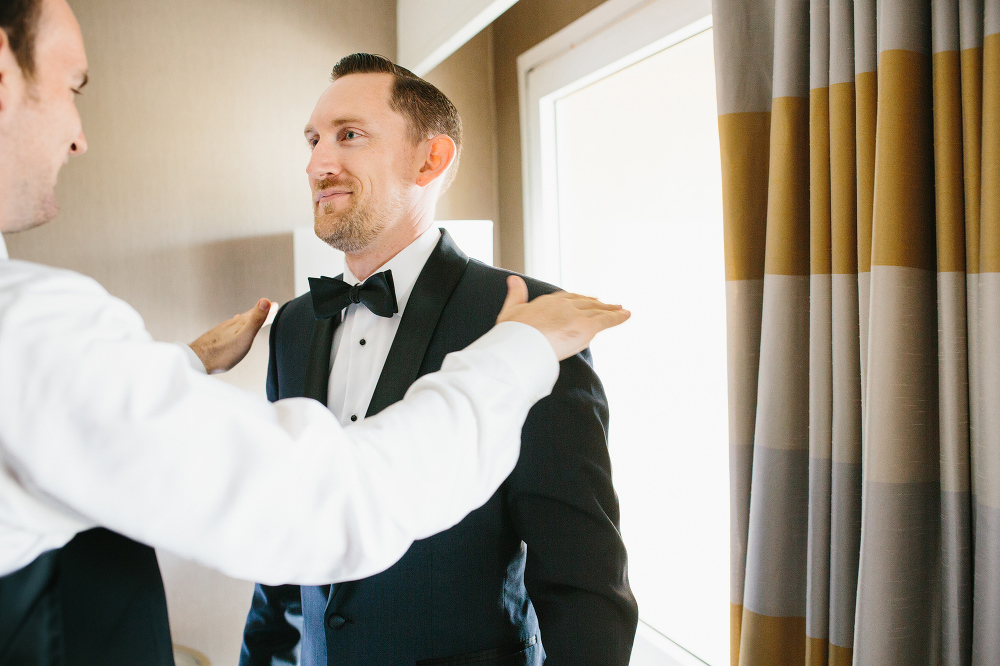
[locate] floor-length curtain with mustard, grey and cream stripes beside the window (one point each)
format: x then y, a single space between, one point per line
861 182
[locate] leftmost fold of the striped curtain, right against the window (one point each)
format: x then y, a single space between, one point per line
744 100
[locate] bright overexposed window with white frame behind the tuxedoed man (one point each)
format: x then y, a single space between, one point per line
624 201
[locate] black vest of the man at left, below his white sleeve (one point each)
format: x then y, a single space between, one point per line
96 601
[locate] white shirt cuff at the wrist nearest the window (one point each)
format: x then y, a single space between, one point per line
528 353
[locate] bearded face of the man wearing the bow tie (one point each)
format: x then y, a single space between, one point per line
362 162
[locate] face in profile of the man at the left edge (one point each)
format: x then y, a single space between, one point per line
40 126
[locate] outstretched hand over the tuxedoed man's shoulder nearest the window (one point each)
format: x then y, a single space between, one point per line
568 321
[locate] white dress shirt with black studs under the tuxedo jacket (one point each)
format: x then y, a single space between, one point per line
355 366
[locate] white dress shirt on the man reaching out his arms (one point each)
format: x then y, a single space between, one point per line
100 425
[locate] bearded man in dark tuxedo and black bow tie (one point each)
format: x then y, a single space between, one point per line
537 574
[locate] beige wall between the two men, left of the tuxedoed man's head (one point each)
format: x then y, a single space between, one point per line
194 178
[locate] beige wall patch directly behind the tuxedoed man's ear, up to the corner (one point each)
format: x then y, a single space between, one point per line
467 79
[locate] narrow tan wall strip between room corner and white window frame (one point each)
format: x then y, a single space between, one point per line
518 29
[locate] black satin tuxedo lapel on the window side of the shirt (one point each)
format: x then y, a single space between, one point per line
433 288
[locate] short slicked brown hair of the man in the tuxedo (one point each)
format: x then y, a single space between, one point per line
429 110
